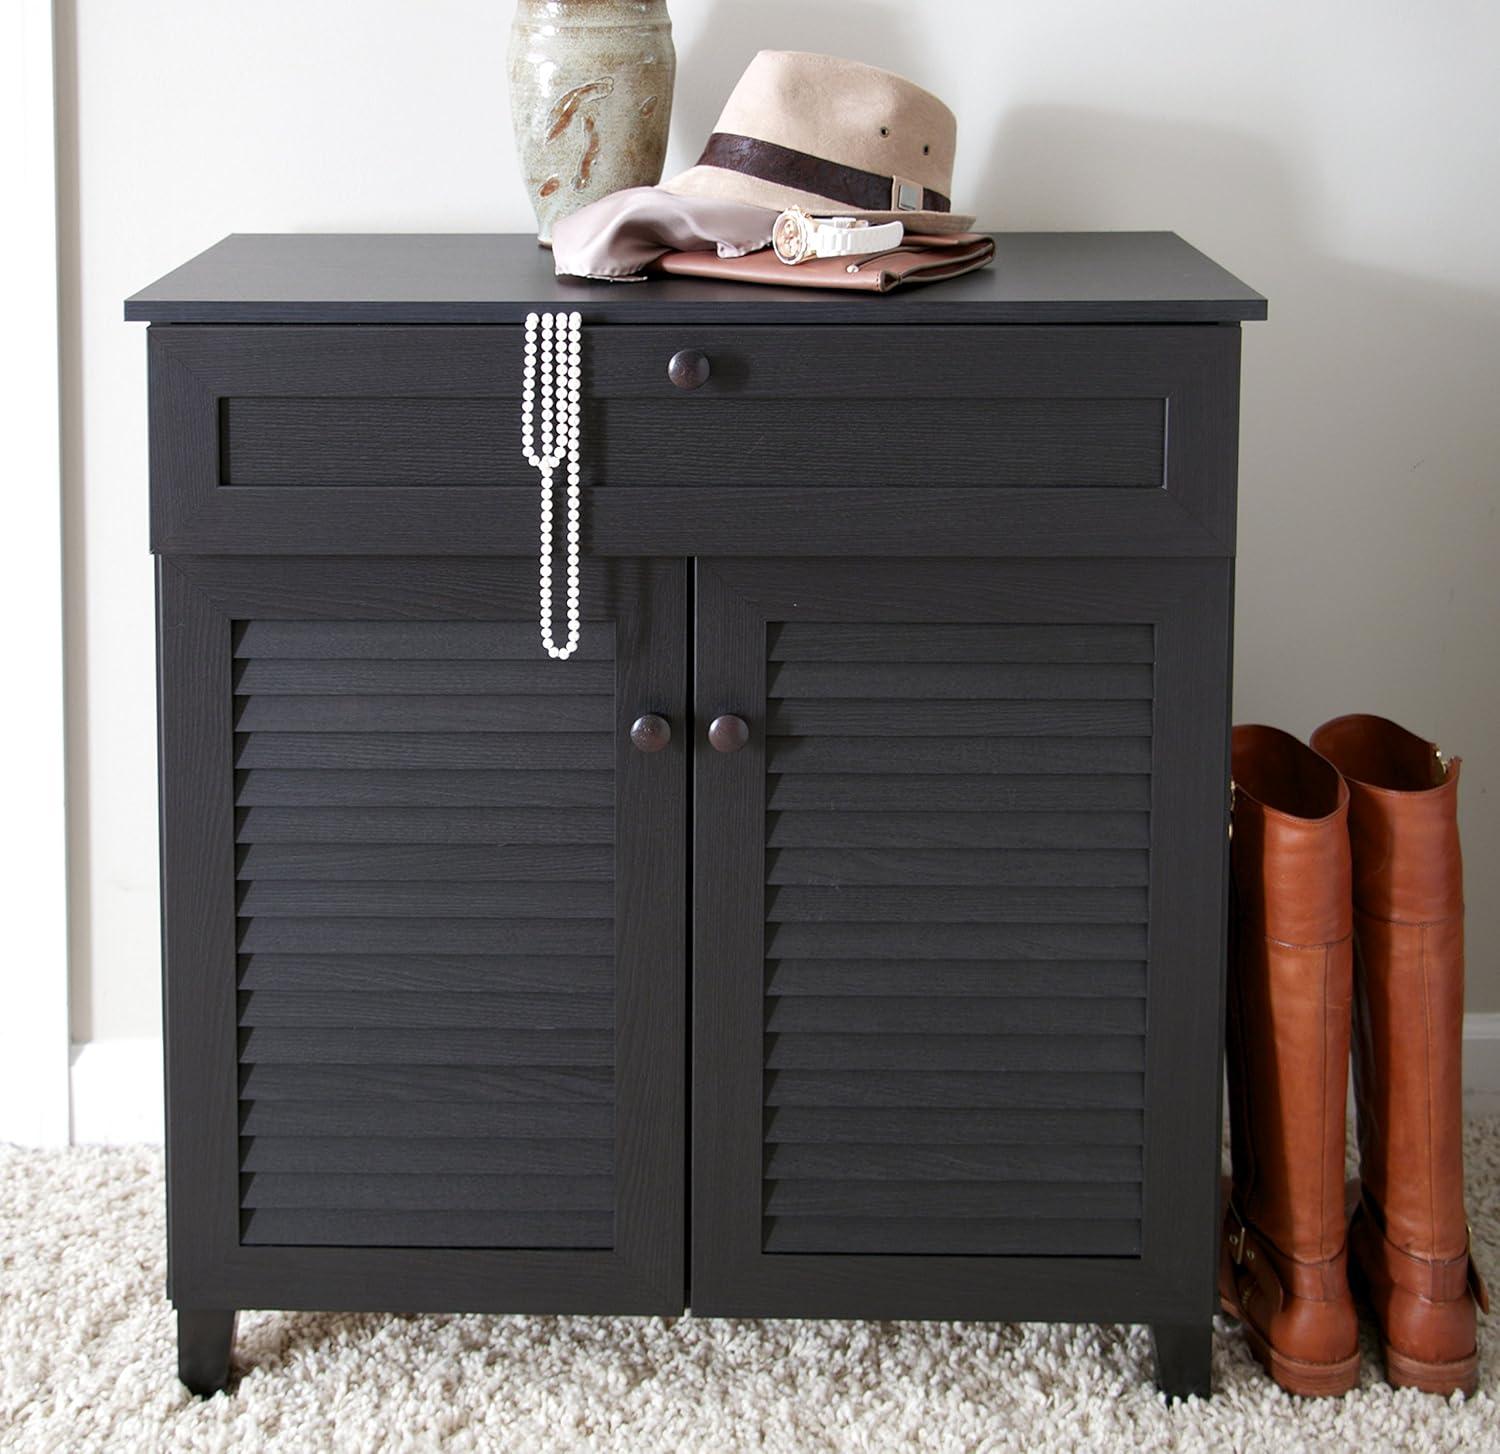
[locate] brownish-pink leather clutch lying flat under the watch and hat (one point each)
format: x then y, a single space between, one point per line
920 259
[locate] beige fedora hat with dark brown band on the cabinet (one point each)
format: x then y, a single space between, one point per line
832 136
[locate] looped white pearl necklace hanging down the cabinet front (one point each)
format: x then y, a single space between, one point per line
560 380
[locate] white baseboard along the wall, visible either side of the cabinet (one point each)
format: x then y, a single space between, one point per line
118 1084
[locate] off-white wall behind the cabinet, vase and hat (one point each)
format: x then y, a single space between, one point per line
1339 157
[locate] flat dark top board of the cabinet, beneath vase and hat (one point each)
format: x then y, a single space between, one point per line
497 278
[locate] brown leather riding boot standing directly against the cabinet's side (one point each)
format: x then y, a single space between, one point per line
1283 1270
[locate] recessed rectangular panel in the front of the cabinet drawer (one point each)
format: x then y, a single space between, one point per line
715 440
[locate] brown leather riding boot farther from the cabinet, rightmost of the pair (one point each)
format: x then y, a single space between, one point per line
1409 1234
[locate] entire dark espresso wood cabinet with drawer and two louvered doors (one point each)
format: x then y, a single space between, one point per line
838 934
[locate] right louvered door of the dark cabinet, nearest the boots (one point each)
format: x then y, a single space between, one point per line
959 939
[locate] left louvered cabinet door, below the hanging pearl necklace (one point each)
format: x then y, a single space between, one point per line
424 921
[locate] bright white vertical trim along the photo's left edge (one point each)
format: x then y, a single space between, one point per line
34 867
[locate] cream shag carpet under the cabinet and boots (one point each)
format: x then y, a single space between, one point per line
88 1363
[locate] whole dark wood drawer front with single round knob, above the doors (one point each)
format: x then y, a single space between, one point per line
908 440
